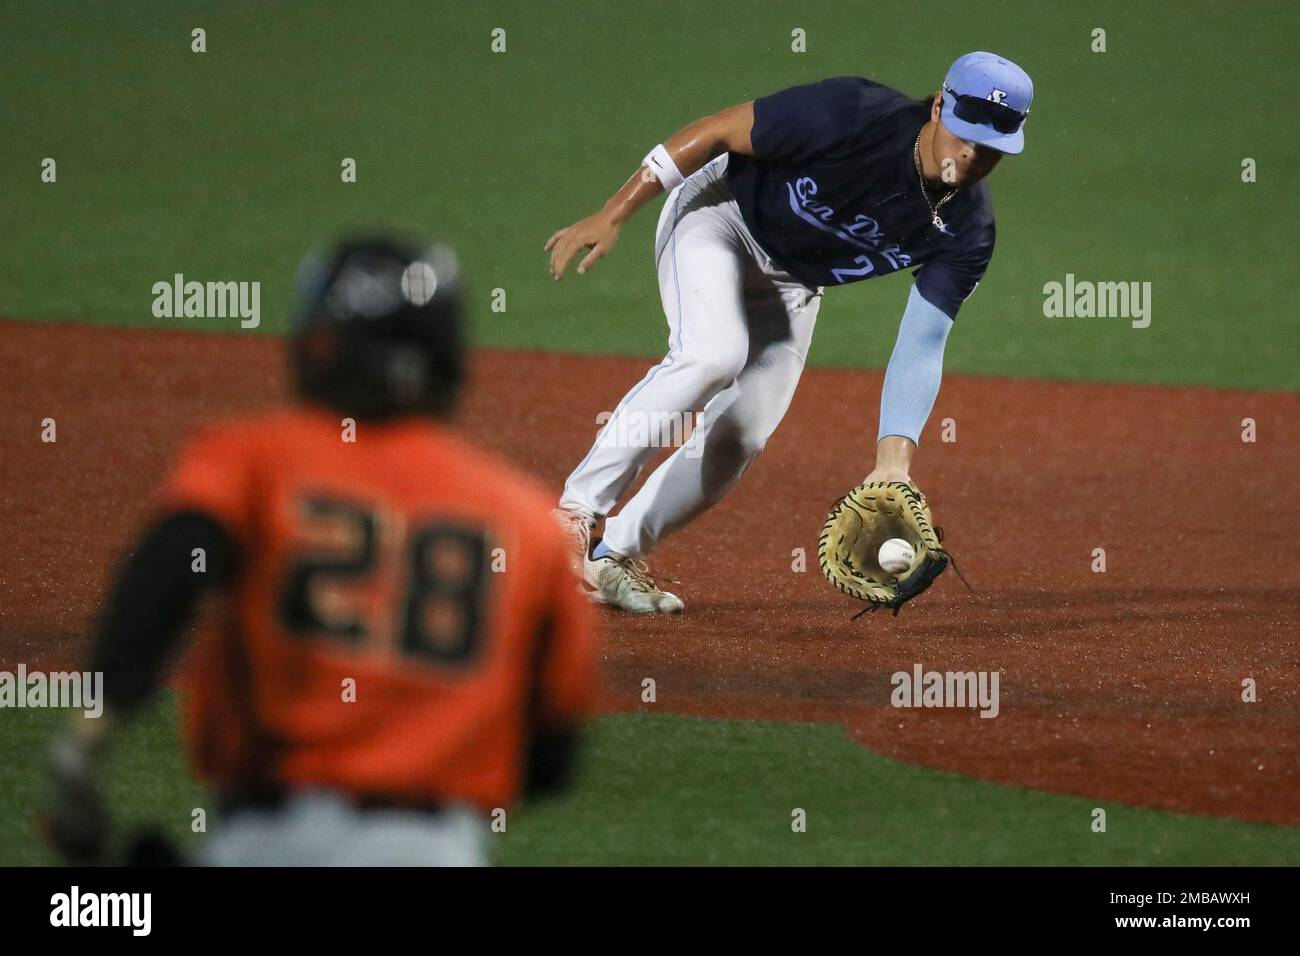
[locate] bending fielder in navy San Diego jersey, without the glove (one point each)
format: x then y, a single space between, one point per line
772 202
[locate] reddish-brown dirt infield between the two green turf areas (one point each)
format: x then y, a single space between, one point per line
1123 686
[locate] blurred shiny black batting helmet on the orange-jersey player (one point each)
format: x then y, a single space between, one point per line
379 330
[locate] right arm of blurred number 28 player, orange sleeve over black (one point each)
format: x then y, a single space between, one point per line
565 685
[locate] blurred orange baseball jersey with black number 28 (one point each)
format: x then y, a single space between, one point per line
402 618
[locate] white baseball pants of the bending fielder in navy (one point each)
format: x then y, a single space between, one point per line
739 336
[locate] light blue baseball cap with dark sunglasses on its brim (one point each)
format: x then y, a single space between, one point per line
987 101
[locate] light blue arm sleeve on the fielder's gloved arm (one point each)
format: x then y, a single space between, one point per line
916 369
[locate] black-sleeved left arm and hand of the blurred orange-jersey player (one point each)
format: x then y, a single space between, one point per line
145 621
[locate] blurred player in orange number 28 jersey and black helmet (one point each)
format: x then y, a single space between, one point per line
402 650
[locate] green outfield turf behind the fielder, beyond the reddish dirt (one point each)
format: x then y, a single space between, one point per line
227 165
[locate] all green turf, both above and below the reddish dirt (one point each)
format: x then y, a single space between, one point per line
227 166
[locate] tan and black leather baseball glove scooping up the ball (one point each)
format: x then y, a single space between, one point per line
861 522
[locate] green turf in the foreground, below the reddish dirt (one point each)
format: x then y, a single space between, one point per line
681 791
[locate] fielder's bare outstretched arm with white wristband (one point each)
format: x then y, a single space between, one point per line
681 155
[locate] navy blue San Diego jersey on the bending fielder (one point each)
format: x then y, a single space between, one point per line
831 193
